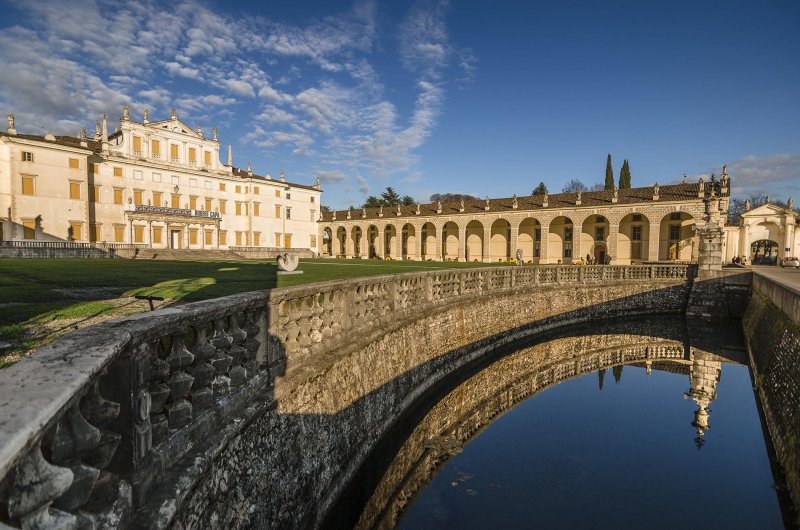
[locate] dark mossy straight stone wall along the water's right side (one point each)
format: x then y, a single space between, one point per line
773 336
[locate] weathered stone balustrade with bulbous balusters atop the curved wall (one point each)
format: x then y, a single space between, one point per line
101 428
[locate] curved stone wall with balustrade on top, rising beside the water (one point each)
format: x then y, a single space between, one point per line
257 409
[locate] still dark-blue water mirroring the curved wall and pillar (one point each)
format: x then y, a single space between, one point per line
576 452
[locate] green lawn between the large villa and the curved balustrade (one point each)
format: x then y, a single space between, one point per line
41 299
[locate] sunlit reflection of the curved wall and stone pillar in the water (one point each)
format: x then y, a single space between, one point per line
470 406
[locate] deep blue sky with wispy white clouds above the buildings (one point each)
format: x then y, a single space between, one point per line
475 97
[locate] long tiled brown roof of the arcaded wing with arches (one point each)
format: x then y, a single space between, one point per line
667 193
